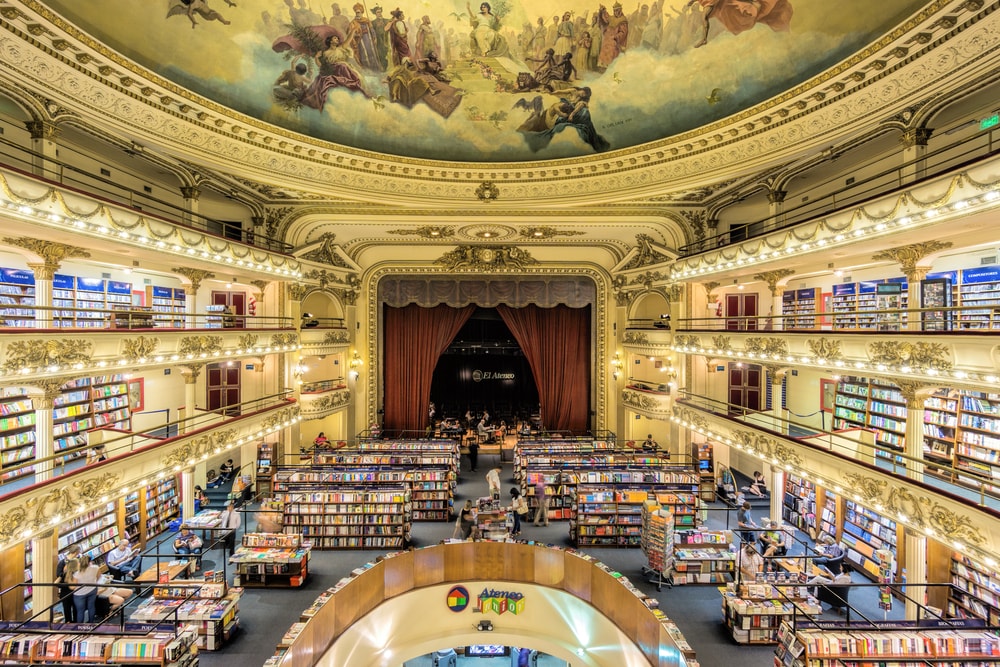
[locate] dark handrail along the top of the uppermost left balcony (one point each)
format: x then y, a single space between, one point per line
26 162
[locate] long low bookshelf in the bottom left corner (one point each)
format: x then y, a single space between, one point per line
163 649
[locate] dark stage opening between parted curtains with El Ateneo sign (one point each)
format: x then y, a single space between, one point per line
484 369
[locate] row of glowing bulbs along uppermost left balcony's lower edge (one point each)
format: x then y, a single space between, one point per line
276 265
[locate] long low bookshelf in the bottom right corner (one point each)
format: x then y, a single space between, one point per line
886 646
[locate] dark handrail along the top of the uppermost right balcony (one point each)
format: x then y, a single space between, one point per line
930 164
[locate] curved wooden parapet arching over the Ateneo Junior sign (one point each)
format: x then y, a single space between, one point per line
538 565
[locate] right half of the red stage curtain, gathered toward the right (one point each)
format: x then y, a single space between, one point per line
556 342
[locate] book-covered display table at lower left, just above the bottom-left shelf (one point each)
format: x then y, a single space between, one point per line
209 608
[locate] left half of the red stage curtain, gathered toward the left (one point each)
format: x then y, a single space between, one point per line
415 338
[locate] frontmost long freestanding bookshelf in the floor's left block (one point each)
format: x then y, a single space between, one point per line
347 516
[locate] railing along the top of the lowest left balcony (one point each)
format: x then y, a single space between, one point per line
20 475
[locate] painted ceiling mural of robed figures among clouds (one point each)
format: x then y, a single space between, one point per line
505 80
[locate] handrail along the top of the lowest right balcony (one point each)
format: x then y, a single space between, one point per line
899 466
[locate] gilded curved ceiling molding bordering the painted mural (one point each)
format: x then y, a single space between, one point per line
888 72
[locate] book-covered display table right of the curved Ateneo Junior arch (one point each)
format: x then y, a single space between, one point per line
754 613
